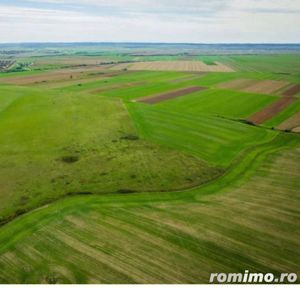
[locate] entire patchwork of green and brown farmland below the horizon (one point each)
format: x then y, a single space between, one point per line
130 165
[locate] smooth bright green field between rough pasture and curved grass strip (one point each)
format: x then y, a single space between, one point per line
213 139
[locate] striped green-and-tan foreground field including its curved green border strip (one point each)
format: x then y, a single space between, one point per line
108 239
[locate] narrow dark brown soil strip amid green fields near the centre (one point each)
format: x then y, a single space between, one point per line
170 95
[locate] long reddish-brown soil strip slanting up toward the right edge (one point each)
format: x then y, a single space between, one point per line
271 110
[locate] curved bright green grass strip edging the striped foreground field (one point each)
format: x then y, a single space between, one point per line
241 170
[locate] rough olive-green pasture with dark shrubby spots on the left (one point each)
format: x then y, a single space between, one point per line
55 144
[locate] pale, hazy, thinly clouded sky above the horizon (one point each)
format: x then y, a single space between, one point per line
198 21
